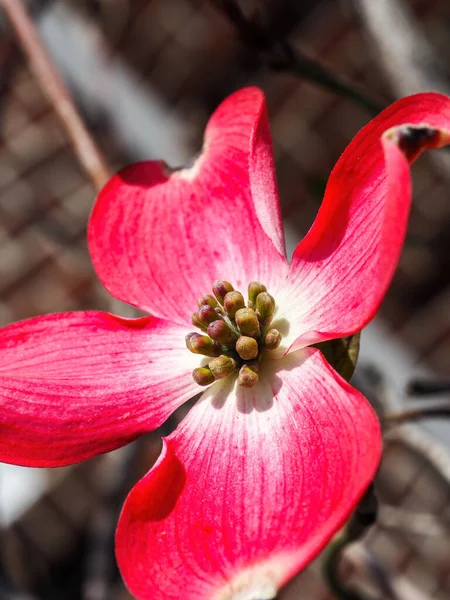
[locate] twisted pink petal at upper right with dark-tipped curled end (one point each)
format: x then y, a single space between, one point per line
341 270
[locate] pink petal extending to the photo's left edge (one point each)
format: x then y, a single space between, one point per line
73 385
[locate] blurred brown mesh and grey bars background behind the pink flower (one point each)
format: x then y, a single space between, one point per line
146 75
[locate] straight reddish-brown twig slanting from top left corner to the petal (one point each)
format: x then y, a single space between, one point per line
56 91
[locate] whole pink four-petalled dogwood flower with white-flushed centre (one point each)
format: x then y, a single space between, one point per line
258 476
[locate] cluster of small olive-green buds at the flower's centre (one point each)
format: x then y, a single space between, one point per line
235 334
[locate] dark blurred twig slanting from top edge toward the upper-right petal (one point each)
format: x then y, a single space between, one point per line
280 55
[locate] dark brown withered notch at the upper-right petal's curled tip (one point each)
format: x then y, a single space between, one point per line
414 139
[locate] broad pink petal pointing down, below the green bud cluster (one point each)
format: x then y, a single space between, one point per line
251 485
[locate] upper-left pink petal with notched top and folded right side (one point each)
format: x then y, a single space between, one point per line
160 240
